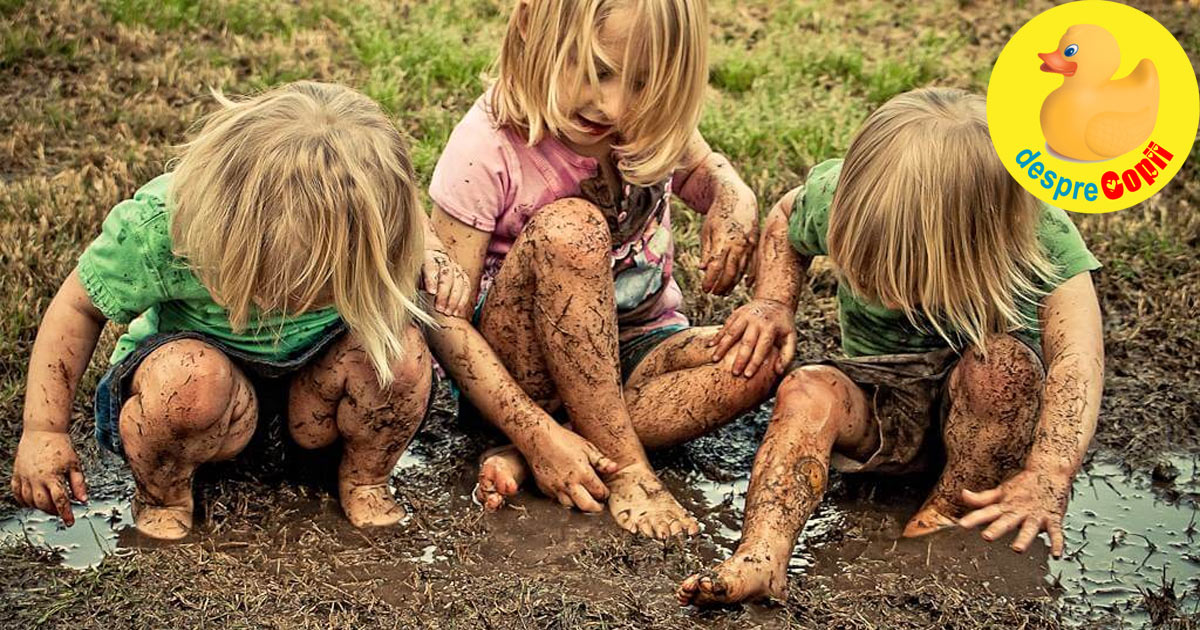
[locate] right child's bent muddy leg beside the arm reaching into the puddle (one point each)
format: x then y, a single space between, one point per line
994 410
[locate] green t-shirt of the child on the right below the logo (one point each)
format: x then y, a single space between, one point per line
872 329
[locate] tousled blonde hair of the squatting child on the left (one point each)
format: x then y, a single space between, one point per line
298 196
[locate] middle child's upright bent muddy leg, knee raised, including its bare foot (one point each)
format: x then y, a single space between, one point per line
551 319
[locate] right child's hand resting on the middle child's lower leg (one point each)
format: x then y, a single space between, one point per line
755 328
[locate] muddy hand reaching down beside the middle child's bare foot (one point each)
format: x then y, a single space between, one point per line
566 467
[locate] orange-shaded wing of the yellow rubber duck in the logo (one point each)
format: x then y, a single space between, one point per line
1131 112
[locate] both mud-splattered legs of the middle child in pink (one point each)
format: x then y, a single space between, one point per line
562 349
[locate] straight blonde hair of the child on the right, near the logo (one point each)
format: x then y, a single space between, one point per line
927 220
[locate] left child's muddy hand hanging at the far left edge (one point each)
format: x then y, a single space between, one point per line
46 465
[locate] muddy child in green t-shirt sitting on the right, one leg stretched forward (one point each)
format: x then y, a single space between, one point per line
952 278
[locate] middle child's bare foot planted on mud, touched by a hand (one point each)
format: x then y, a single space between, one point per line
640 505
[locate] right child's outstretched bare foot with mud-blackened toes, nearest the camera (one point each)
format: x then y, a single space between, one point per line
746 577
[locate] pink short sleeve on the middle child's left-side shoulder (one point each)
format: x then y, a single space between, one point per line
472 179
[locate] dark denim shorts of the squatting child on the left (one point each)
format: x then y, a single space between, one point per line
268 448
